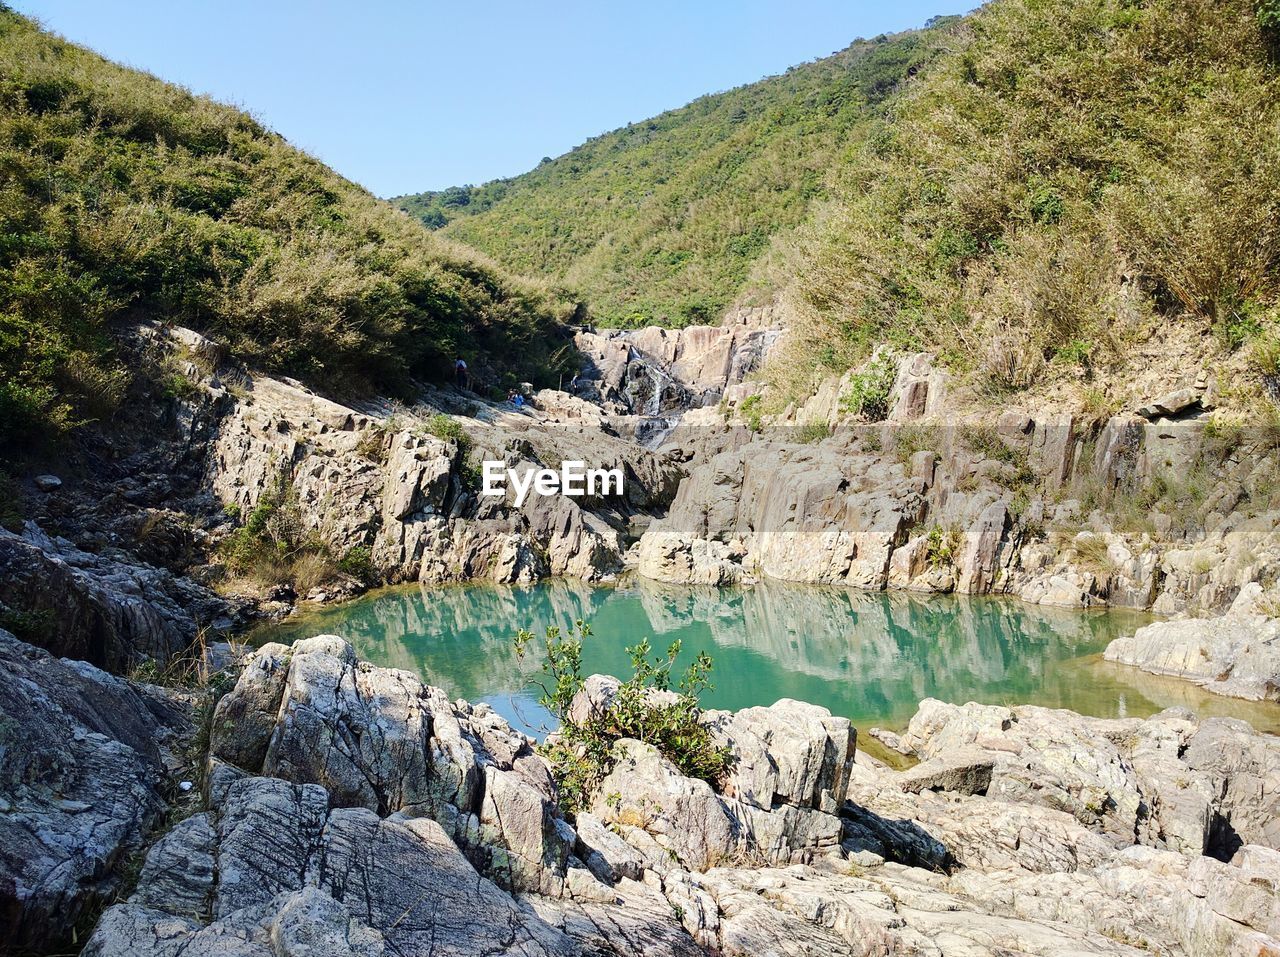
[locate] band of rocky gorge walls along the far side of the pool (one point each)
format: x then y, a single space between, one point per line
1160 509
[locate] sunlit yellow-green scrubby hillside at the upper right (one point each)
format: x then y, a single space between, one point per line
1072 195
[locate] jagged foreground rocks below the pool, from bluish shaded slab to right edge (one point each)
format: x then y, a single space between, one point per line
354 811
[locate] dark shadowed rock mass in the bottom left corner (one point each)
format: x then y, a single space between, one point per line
83 781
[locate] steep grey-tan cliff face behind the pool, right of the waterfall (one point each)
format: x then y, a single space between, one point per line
1153 510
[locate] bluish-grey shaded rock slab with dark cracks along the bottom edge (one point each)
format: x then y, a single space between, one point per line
294 876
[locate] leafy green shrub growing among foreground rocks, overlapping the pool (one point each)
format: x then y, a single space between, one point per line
582 753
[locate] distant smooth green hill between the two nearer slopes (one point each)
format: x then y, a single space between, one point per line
664 221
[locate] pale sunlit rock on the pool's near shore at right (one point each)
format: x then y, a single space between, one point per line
1173 782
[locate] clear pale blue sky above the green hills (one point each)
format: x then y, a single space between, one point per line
405 97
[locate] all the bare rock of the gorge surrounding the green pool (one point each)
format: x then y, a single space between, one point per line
327 807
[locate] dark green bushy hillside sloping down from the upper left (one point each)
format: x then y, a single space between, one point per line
125 198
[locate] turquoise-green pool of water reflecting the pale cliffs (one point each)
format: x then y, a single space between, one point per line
868 656
